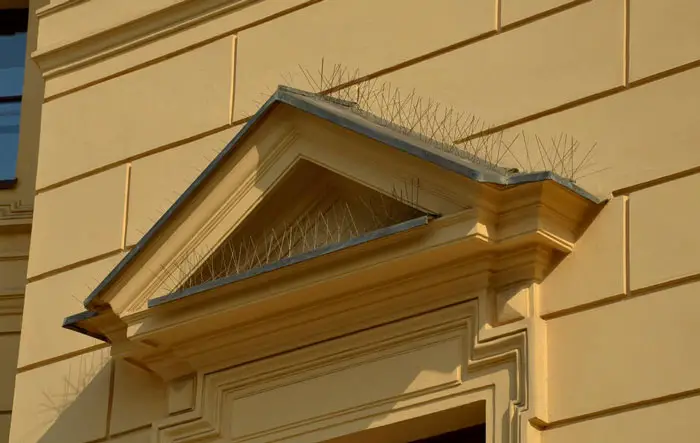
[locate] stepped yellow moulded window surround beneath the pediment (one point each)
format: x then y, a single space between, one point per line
477 362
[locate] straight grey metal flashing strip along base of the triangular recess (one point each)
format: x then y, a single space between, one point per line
289 261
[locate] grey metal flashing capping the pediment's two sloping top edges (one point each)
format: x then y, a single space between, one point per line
339 113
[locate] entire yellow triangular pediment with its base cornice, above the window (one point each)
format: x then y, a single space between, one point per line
481 234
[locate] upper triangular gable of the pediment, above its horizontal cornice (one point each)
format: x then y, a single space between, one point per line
288 171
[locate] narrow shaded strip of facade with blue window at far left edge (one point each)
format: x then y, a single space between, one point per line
17 175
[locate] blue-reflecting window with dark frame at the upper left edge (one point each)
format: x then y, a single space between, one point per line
13 44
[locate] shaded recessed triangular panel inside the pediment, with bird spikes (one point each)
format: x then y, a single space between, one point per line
310 209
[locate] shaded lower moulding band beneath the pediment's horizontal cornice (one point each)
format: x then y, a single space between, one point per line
325 318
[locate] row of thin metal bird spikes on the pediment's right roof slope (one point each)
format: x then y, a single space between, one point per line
456 133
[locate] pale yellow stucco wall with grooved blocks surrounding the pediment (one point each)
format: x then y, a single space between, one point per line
133 110
